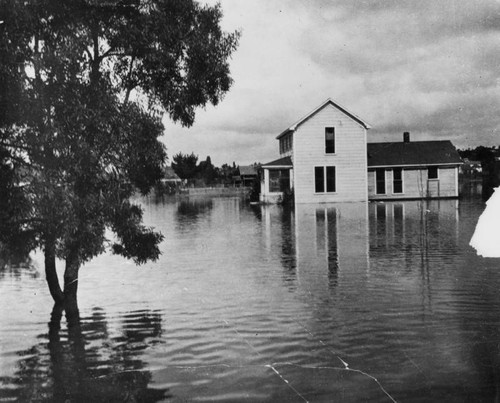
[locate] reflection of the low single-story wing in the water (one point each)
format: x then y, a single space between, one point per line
413 239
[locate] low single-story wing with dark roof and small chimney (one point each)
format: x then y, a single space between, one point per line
412 169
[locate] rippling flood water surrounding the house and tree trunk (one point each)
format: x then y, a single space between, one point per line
351 302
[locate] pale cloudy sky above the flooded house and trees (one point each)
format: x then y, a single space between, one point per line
430 67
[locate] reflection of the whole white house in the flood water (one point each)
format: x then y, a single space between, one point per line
325 245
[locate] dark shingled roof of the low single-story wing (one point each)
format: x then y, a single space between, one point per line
412 153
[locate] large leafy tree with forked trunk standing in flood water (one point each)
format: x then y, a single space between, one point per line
83 86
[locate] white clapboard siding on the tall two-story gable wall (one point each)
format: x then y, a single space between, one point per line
350 159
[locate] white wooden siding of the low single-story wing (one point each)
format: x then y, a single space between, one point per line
415 184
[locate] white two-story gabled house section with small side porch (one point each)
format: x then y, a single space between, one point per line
323 158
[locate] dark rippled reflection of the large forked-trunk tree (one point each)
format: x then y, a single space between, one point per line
80 362
